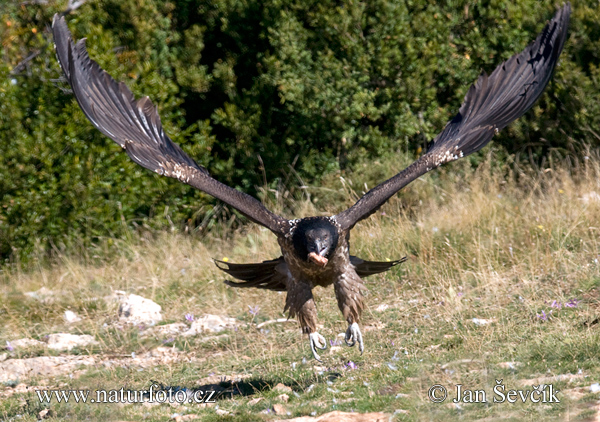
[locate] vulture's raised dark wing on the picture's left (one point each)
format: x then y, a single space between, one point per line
136 127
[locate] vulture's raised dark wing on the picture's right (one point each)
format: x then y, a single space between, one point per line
491 104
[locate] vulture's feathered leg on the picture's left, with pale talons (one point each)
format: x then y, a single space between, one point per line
300 303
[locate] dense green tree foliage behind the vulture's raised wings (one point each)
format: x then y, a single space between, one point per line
250 87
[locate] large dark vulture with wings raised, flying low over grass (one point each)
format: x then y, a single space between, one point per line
314 250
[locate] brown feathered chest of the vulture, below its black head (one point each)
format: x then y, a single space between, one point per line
302 269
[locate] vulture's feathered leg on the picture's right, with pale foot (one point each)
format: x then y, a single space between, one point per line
350 301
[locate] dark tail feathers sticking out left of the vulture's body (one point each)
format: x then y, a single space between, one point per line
270 275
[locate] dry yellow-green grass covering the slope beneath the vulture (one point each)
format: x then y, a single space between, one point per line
501 284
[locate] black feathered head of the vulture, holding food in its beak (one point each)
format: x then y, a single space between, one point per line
315 239
